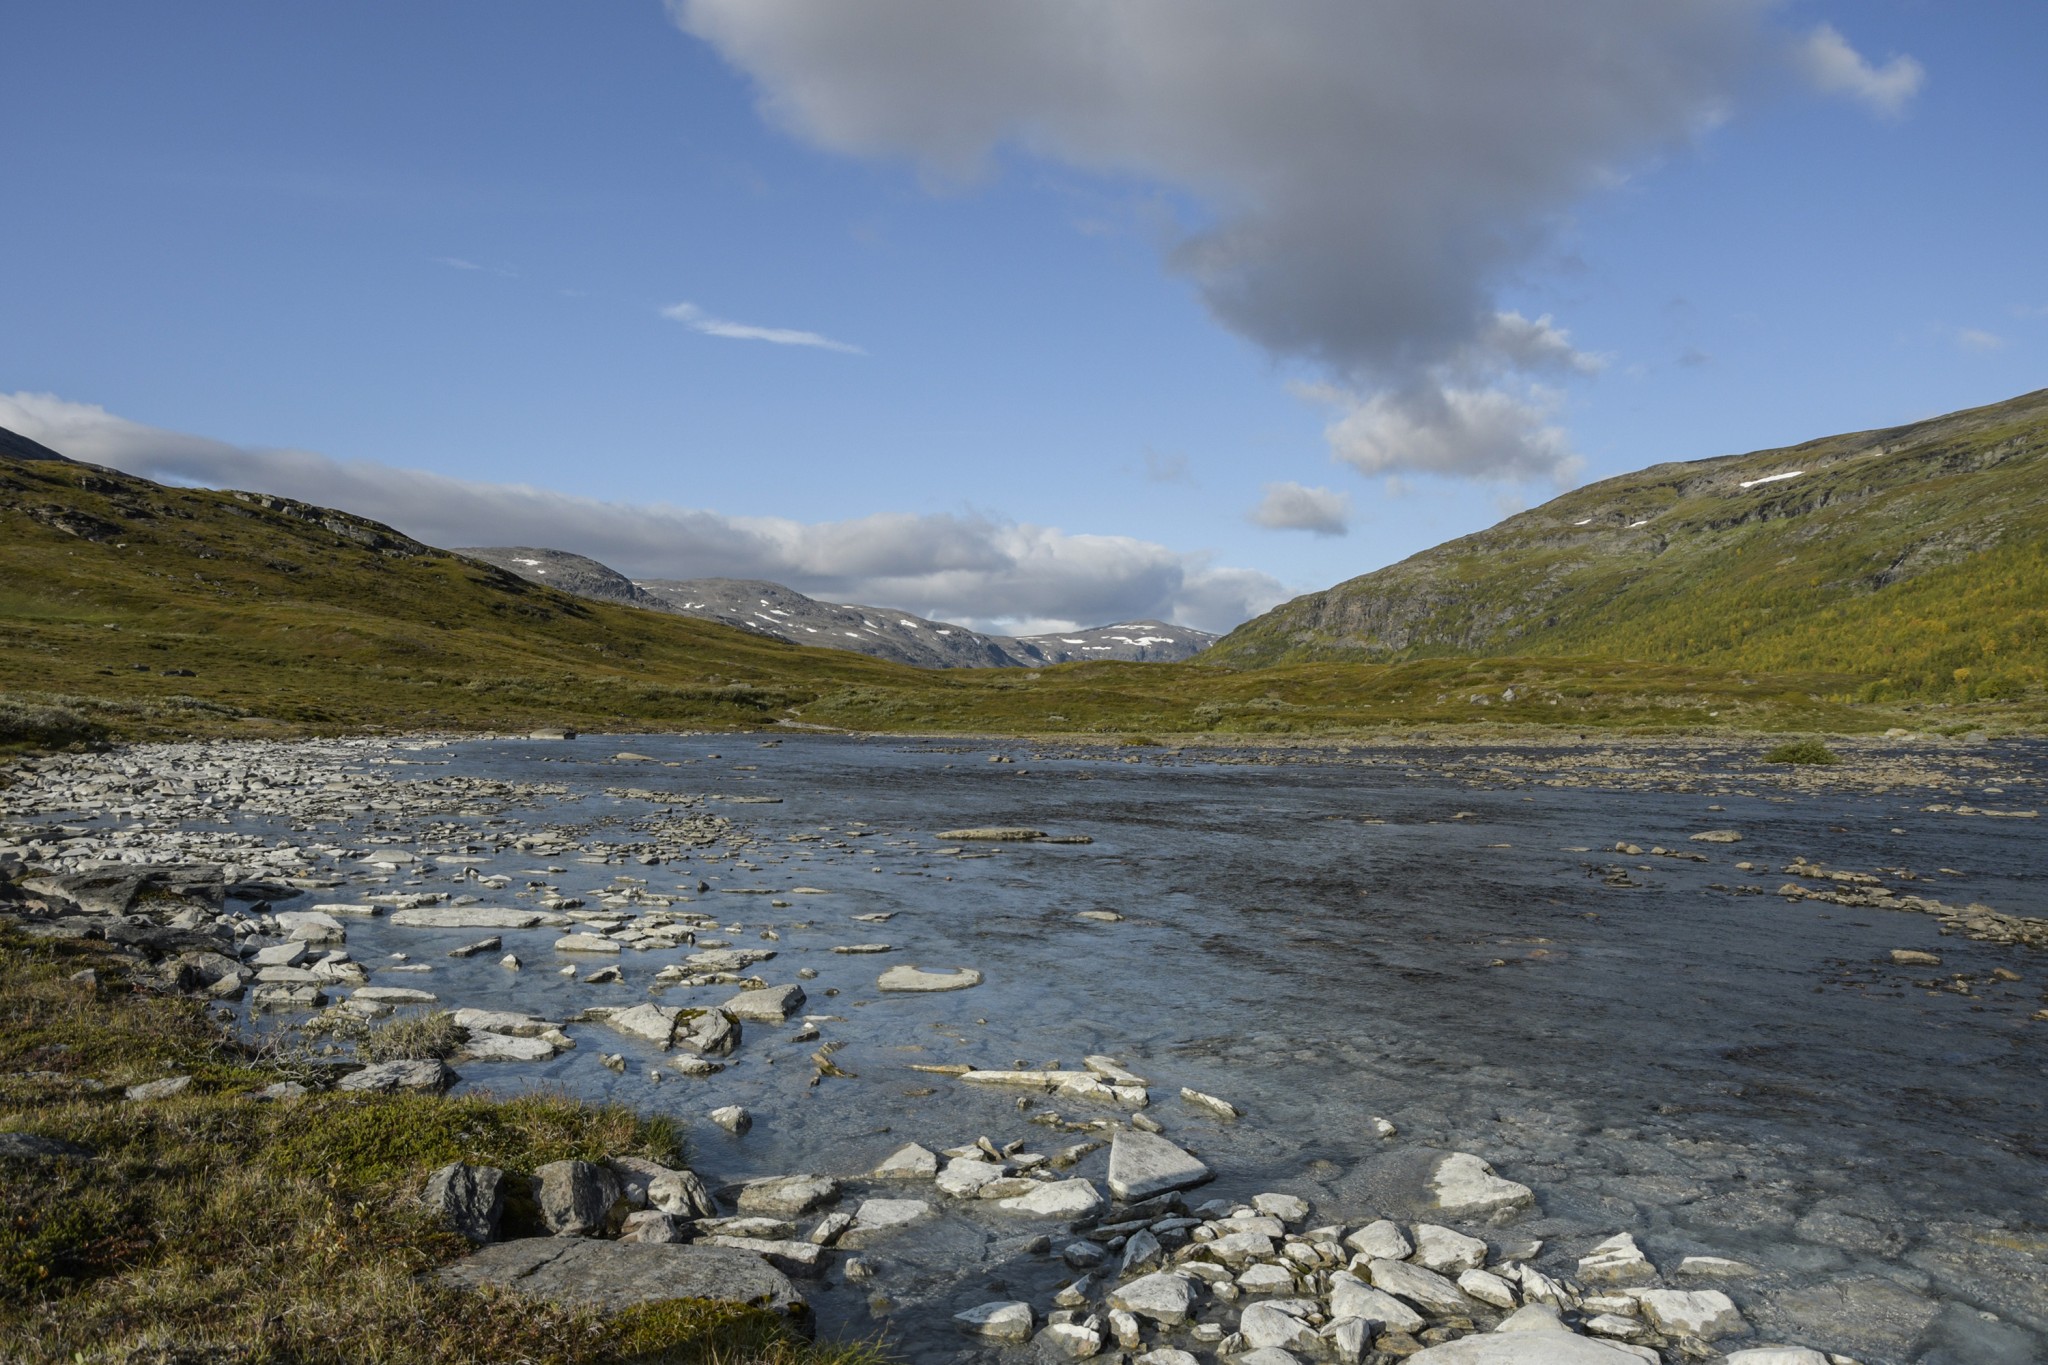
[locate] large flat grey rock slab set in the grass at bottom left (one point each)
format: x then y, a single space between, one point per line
613 1276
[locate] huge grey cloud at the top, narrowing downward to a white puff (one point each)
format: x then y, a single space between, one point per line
1357 177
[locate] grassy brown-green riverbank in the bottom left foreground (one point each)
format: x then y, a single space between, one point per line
173 1194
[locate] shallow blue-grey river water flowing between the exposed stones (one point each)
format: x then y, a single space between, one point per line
1326 942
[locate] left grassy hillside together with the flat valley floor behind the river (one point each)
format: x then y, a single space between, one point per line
130 611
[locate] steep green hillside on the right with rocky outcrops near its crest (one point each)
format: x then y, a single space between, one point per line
1914 560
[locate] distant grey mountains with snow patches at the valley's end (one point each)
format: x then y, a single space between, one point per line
880 631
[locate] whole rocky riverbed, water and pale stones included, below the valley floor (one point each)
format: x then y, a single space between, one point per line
1521 1053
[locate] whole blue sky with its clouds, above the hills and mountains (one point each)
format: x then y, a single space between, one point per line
1099 296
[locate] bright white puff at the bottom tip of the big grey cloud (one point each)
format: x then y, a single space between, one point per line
1449 431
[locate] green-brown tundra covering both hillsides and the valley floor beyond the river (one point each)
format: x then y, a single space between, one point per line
134 611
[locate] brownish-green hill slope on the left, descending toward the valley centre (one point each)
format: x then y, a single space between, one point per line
187 605
